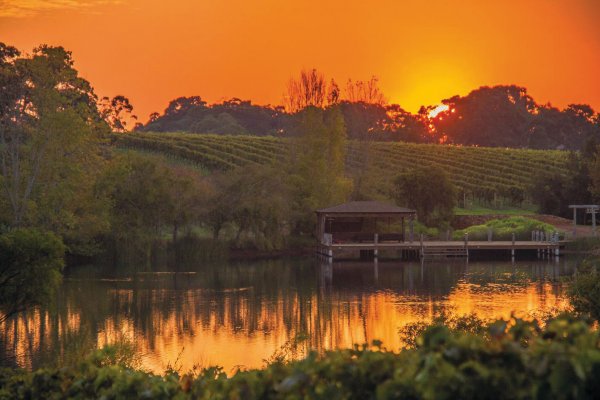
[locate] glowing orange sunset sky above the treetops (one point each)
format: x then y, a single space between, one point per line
422 51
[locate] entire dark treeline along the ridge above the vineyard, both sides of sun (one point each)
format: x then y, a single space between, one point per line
502 116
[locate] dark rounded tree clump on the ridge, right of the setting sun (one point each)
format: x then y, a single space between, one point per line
507 116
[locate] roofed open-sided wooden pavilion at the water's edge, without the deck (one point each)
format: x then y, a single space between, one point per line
363 222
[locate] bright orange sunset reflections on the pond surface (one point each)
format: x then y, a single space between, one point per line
195 336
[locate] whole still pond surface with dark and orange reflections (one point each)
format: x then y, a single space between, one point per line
239 314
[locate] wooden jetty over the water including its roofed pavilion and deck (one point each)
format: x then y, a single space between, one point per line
370 229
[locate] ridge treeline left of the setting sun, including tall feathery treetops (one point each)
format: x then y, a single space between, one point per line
363 106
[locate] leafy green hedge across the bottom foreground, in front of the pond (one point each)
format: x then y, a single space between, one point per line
516 359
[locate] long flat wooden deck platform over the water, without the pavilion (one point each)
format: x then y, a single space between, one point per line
451 248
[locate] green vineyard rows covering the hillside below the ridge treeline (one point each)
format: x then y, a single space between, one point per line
482 172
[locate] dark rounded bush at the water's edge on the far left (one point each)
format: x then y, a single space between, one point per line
30 269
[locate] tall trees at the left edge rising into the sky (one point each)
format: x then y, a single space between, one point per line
50 132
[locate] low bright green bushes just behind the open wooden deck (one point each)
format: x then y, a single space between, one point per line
502 229
